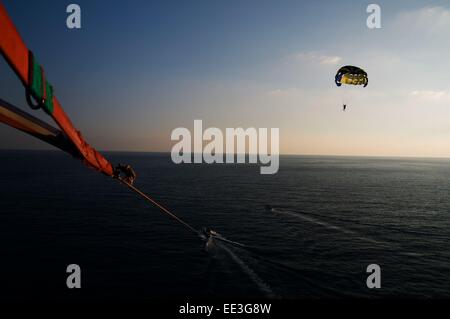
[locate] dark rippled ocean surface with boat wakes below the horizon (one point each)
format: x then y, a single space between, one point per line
331 218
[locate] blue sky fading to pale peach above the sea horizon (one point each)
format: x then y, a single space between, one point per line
139 69
